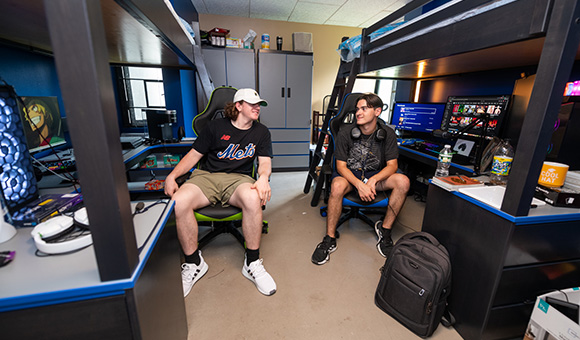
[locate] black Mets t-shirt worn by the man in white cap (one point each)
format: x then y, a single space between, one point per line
230 149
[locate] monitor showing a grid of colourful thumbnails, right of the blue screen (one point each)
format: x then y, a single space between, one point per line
460 111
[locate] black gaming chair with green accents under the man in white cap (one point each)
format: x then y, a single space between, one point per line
221 219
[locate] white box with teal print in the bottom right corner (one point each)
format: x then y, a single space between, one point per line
549 323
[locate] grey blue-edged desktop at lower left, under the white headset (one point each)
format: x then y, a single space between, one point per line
30 281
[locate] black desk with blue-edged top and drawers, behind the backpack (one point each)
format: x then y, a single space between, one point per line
501 263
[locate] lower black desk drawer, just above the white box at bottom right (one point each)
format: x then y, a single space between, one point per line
524 284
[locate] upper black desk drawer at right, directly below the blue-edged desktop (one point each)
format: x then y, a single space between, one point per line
549 242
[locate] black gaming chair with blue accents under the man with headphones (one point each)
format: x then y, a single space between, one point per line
352 205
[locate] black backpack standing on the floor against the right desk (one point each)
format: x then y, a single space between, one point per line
415 283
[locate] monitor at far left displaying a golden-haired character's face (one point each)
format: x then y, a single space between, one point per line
42 123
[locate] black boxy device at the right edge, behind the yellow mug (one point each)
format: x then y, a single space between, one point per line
565 140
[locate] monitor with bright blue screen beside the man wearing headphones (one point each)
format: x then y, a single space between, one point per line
417 117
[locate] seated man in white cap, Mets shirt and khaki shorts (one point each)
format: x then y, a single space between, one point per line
231 145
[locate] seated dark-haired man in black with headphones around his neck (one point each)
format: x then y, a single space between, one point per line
366 161
